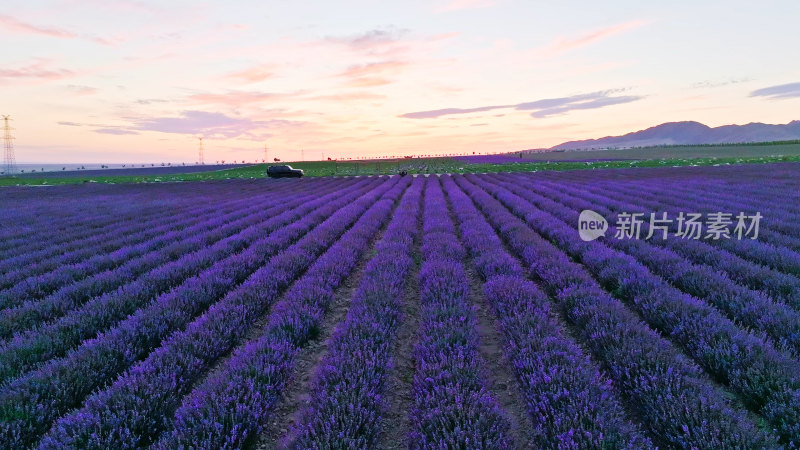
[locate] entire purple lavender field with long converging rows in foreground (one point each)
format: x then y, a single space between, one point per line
439 311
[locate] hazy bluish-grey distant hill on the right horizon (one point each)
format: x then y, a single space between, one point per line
692 133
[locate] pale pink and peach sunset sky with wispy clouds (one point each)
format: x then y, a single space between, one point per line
139 81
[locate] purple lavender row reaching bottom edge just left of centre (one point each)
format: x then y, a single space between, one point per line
347 397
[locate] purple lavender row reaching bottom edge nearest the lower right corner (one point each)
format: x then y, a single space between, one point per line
672 397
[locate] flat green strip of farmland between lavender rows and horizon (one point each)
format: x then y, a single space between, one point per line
717 155
